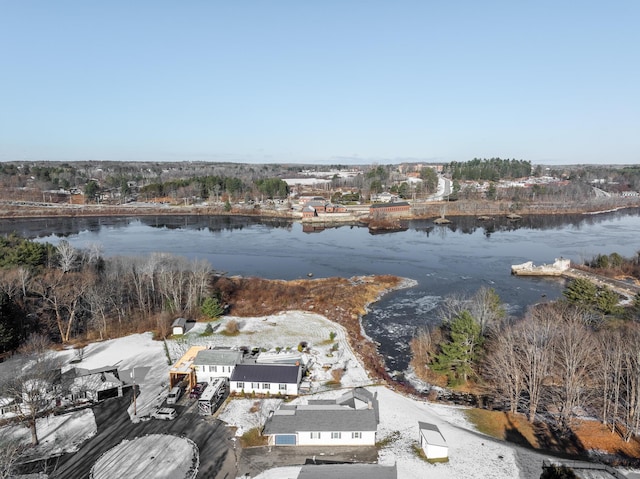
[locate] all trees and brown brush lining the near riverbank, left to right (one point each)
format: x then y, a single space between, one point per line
560 362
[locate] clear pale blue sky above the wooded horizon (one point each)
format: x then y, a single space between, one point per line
331 81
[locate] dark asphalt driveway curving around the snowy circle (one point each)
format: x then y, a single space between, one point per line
213 438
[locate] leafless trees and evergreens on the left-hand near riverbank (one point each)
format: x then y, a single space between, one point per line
69 294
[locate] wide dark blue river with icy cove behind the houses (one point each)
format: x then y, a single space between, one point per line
453 259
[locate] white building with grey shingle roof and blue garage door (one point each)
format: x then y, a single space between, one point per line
351 420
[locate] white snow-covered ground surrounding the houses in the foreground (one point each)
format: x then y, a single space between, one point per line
470 455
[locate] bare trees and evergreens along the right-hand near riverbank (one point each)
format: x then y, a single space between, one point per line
559 363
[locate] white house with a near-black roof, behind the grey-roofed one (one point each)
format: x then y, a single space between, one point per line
272 379
